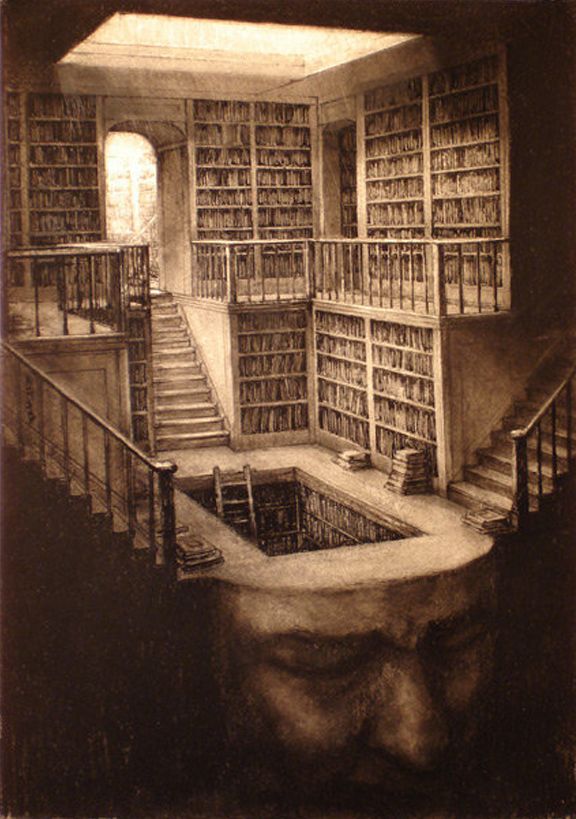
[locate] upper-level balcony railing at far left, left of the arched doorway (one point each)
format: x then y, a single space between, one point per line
75 289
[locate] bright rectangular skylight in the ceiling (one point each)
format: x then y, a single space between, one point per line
222 46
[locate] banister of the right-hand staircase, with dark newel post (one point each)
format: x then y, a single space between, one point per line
542 451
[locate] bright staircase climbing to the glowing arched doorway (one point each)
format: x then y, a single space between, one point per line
186 415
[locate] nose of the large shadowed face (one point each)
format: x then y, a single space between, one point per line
404 719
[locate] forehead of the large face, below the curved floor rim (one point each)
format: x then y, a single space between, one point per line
399 609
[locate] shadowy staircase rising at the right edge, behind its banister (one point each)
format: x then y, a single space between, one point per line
489 482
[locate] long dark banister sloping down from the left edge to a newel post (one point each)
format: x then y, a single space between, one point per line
75 445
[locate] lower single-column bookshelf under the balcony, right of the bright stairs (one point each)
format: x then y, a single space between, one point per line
272 372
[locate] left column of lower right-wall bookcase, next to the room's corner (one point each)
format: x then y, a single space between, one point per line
341 374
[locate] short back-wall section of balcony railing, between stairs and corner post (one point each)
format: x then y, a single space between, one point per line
252 271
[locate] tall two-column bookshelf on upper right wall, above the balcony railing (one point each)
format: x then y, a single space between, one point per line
435 153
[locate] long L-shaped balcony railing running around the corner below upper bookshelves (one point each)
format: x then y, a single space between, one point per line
422 276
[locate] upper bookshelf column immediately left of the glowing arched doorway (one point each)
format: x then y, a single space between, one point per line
63 169
